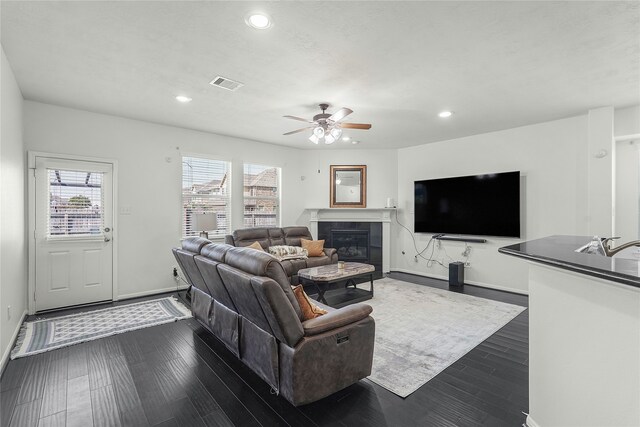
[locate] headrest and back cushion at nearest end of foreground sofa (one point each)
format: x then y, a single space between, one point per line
262 264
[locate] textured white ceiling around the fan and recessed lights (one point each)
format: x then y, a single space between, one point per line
498 65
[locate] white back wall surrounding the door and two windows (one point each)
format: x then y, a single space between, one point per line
149 184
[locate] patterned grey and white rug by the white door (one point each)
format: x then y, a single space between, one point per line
49 334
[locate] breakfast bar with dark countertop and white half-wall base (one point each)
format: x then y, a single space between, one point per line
584 334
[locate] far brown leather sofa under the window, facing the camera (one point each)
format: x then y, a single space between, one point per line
283 236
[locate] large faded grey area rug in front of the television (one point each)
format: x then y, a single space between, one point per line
420 331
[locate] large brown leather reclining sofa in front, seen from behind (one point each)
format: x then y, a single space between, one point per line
246 301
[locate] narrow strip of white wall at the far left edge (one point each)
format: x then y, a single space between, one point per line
13 249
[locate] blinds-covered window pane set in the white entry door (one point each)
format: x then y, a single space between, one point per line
76 205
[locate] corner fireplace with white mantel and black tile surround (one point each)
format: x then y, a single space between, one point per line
364 235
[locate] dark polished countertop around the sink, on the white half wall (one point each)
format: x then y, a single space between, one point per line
559 251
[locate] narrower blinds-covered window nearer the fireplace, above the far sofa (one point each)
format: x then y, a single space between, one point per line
261 196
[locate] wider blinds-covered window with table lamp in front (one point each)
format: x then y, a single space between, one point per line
206 189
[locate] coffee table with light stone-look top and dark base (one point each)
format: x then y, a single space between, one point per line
323 277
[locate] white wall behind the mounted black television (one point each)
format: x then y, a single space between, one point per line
551 157
